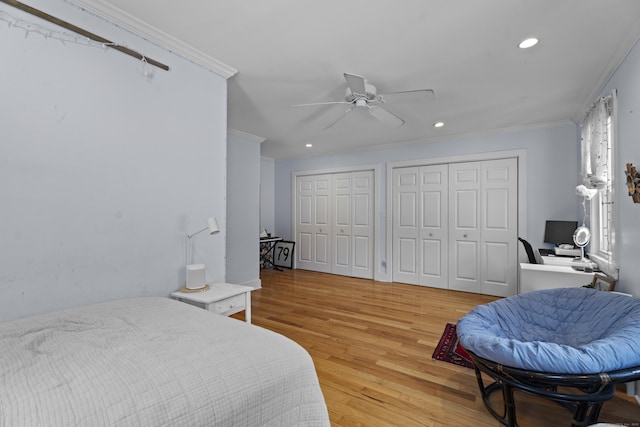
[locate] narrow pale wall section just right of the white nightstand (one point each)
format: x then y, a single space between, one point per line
243 211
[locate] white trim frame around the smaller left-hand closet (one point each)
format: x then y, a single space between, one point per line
377 274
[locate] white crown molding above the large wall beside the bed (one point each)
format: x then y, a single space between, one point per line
130 23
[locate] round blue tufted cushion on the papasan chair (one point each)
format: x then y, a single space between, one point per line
565 330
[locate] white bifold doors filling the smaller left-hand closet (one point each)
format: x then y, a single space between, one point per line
334 223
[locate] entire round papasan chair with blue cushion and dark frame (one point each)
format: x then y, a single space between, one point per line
568 345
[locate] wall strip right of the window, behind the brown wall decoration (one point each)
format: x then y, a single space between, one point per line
627 82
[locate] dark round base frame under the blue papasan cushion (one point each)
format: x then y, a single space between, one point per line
584 395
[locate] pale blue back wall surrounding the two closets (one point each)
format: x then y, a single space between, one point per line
552 174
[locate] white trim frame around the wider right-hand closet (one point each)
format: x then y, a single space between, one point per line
520 155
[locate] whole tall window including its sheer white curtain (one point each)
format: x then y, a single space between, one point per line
598 164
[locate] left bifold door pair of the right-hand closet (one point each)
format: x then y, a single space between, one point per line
420 226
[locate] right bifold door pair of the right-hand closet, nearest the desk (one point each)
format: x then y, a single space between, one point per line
483 207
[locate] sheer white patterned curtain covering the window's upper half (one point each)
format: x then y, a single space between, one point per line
595 159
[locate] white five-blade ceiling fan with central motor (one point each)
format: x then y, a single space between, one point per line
362 94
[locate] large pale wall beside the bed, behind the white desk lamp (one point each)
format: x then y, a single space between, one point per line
103 173
